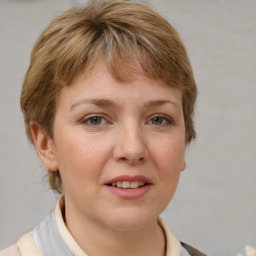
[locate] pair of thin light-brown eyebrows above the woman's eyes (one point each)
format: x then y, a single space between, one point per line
111 103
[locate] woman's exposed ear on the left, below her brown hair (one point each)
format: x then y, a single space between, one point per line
44 146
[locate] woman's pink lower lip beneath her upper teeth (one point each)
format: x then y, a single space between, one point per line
129 193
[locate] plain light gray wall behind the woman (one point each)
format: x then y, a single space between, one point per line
214 208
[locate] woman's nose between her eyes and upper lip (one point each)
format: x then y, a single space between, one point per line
131 146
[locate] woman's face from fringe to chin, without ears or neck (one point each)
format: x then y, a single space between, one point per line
119 148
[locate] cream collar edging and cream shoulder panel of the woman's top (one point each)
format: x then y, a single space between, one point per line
27 246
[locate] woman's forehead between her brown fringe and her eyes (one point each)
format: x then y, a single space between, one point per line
100 88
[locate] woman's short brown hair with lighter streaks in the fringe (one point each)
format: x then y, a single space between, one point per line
120 32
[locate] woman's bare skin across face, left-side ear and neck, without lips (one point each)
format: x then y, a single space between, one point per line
138 129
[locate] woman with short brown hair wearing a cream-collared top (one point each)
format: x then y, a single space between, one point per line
108 101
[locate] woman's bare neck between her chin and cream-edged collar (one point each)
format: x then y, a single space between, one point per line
149 240
